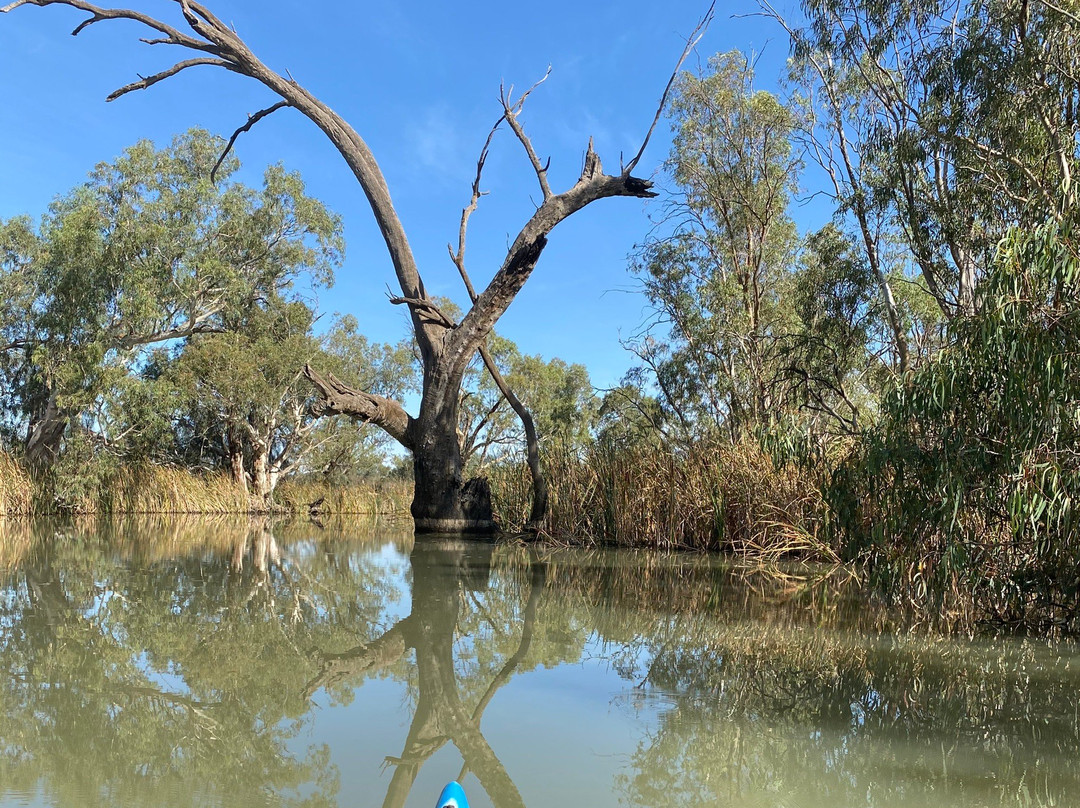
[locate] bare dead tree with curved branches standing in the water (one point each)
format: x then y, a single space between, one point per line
443 501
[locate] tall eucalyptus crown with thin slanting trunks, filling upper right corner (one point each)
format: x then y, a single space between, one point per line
957 118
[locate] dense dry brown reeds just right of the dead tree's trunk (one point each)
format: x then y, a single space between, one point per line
712 496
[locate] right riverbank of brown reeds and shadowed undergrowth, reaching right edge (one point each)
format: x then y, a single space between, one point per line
740 500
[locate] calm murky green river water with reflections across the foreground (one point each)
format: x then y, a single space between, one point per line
207 664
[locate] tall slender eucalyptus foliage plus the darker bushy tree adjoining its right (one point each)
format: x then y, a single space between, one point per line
754 325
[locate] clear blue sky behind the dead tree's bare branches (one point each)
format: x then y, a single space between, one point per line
420 82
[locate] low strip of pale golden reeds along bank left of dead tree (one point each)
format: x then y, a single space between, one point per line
150 489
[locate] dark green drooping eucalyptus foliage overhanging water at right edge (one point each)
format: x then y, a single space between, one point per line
973 474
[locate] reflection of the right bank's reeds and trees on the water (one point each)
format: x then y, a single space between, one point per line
781 689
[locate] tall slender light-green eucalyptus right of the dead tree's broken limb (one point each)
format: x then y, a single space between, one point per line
717 280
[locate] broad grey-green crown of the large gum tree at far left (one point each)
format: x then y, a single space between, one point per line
147 252
